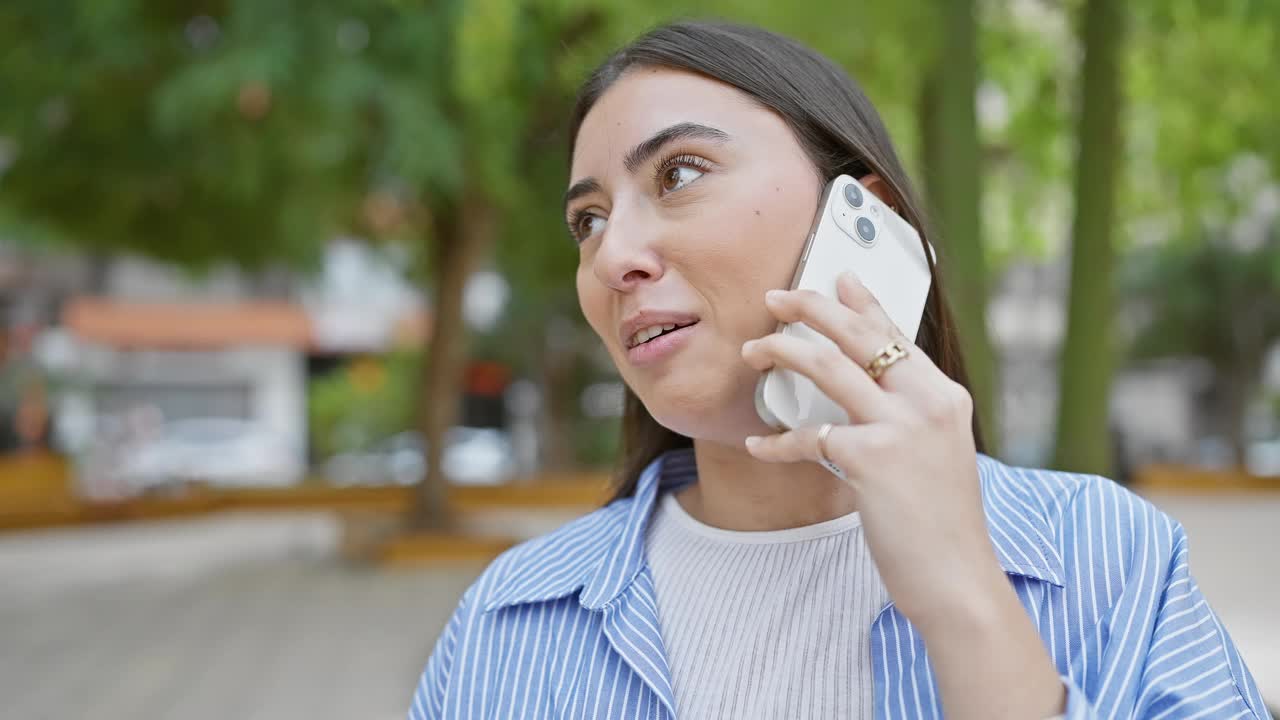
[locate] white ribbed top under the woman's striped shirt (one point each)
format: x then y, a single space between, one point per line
765 625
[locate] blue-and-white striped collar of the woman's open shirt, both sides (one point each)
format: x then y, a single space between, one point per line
601 554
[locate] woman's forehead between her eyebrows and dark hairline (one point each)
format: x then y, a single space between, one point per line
646 101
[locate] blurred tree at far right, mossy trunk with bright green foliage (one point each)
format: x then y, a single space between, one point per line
1195 80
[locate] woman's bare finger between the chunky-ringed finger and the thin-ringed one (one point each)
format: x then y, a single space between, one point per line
835 375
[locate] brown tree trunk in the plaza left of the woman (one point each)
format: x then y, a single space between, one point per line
464 235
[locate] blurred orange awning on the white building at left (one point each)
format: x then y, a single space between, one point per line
213 326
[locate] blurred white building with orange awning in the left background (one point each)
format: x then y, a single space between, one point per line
140 349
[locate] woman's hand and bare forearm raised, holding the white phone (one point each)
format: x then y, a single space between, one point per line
909 455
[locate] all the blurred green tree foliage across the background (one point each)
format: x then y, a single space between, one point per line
253 131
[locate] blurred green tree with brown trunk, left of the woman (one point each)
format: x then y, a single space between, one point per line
254 133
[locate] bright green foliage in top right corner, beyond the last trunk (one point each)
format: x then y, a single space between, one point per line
1201 80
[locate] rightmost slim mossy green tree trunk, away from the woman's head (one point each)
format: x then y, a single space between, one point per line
1087 358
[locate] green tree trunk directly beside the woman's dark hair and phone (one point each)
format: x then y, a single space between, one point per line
953 180
